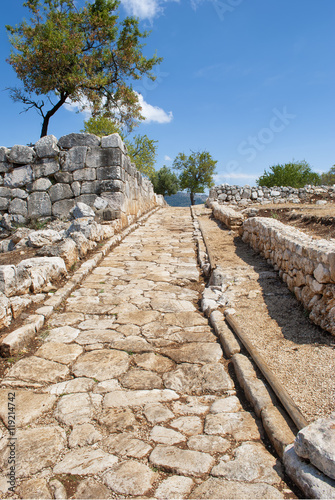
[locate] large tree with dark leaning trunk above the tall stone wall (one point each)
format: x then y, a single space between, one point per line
81 56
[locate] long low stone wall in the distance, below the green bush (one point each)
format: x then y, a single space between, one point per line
237 195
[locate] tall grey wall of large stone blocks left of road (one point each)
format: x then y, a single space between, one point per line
51 177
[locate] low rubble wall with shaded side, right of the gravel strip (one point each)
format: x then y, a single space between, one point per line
307 265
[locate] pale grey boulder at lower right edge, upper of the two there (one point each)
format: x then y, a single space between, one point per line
316 442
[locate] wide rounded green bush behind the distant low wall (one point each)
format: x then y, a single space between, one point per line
294 174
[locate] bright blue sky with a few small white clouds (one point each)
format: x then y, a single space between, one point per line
252 82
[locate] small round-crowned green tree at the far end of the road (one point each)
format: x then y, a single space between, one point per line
196 172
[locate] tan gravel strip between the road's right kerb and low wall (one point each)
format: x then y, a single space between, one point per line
299 353
